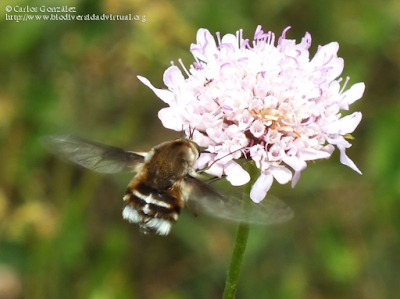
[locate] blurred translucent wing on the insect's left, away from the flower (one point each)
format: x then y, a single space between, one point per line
92 155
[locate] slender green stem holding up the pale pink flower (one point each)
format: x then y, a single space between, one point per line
242 234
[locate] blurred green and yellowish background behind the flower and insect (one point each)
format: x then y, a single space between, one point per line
61 230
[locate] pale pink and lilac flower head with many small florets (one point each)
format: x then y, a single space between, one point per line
270 104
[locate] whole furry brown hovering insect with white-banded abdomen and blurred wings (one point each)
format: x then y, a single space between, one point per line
166 180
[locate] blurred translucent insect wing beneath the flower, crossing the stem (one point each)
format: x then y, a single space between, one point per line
270 211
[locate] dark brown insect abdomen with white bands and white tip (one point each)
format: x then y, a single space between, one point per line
153 210
